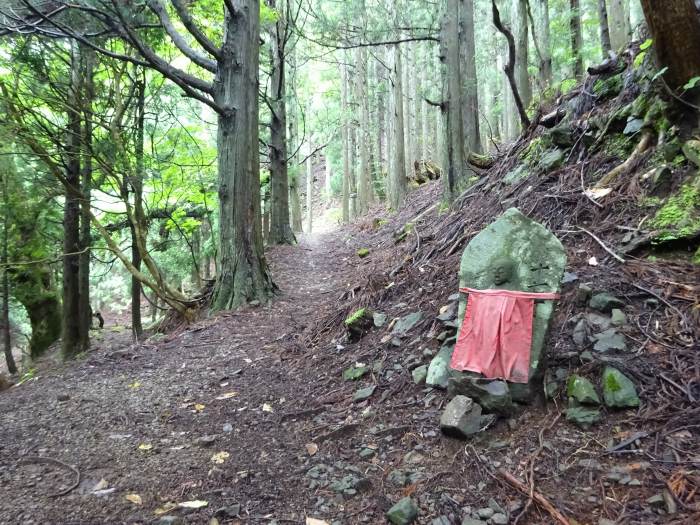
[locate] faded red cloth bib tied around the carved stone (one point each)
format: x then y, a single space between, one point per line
496 334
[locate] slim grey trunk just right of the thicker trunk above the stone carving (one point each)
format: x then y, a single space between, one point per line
470 96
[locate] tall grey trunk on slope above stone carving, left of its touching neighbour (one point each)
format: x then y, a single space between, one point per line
453 161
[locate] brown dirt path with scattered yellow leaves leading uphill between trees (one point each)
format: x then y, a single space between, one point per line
205 414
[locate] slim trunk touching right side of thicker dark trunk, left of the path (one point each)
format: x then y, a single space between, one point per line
88 66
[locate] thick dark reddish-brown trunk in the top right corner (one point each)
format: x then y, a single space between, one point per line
675 28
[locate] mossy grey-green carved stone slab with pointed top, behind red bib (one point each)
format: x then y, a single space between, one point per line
537 261
